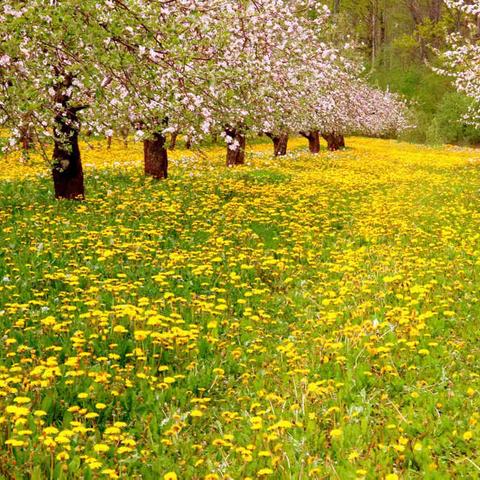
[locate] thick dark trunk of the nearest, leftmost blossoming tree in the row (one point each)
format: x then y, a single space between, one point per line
67 168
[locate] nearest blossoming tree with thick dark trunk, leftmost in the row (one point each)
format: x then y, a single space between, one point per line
48 77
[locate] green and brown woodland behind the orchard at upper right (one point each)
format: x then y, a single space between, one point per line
399 39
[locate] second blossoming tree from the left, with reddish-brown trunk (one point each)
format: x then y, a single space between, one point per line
160 78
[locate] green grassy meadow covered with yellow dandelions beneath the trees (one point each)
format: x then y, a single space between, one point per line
311 317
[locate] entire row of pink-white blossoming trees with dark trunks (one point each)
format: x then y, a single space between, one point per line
200 67
